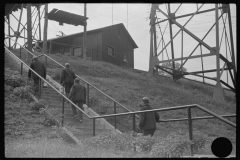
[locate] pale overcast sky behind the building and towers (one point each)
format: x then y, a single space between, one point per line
135 17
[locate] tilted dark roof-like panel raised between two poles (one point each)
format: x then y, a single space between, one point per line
66 17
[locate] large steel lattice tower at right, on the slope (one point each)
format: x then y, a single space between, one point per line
198 38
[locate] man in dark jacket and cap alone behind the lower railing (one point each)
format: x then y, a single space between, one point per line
147 121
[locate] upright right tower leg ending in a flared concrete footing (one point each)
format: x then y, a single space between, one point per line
218 91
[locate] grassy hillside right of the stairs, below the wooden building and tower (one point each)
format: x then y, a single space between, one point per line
129 87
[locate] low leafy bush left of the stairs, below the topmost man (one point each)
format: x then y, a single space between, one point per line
23 92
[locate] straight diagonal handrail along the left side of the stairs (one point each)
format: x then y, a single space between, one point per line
48 83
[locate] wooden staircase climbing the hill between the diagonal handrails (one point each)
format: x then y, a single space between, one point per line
54 100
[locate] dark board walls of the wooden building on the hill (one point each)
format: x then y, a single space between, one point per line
97 44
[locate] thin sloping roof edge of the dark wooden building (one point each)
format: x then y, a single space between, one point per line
100 29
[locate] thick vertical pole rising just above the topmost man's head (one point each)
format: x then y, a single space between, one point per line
29 31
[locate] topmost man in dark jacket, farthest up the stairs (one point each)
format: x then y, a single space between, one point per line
40 69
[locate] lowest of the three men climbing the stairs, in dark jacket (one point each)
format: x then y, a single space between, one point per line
78 96
